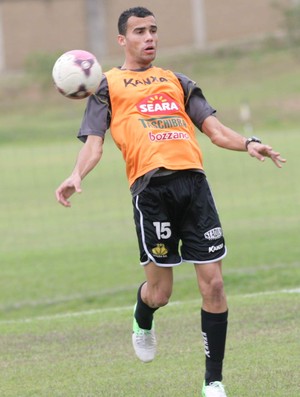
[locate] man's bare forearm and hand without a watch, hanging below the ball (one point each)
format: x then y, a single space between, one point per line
87 159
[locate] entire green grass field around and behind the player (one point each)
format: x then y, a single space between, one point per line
69 276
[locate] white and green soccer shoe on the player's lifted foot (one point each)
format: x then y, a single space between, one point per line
144 341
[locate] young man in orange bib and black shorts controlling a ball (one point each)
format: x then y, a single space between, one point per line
151 114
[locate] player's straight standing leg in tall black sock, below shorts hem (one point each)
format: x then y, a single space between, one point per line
214 315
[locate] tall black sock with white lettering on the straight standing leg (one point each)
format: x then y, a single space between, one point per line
214 329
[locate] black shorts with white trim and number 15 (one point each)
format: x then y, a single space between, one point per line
176 220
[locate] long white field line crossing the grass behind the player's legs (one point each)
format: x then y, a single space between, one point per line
129 308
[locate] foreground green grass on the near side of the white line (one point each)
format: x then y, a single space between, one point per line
90 354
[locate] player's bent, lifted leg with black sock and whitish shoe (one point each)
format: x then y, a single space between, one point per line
152 294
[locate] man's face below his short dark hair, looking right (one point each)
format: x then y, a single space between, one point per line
140 42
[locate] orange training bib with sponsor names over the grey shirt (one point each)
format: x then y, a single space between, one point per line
149 123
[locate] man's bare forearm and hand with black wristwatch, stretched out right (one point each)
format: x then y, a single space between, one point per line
227 138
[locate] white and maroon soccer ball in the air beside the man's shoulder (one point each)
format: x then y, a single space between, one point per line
77 74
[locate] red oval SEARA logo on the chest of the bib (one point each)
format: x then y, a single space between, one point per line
160 104
